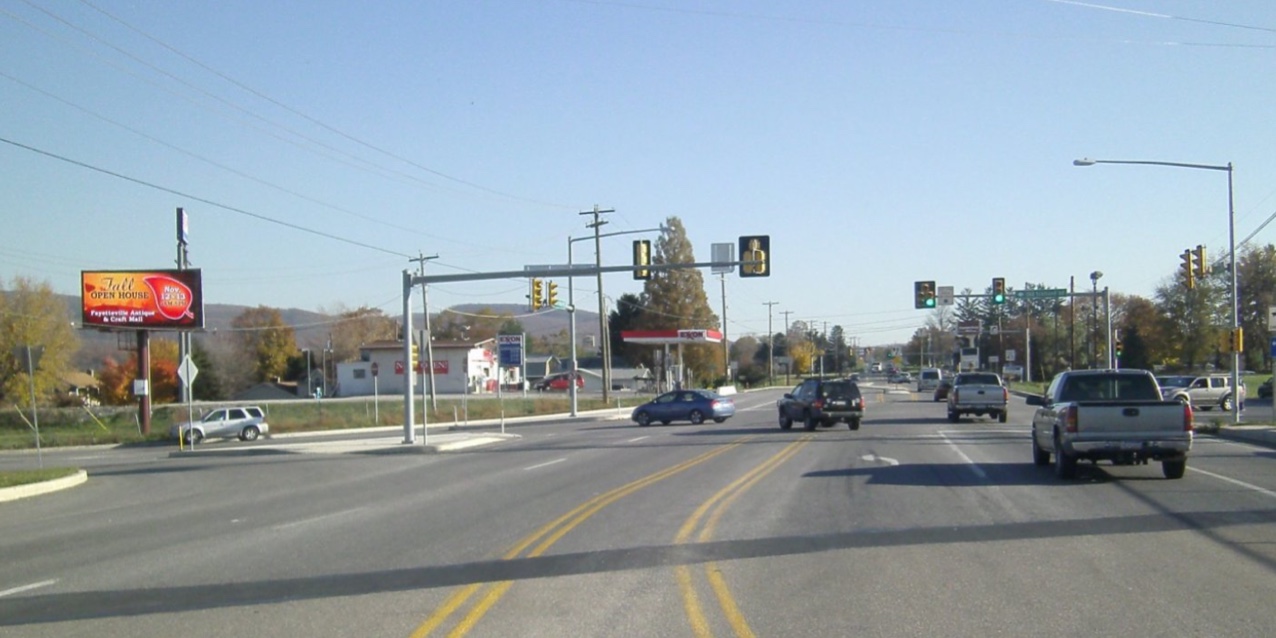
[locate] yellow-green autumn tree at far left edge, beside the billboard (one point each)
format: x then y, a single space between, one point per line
33 316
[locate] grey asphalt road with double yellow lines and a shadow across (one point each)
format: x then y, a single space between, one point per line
910 526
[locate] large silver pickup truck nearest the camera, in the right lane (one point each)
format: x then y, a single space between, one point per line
1112 415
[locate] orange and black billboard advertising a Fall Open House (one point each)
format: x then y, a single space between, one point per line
167 300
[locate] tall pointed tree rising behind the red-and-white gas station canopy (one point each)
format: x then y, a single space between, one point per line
677 299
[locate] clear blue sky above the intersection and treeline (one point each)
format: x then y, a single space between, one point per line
317 146
